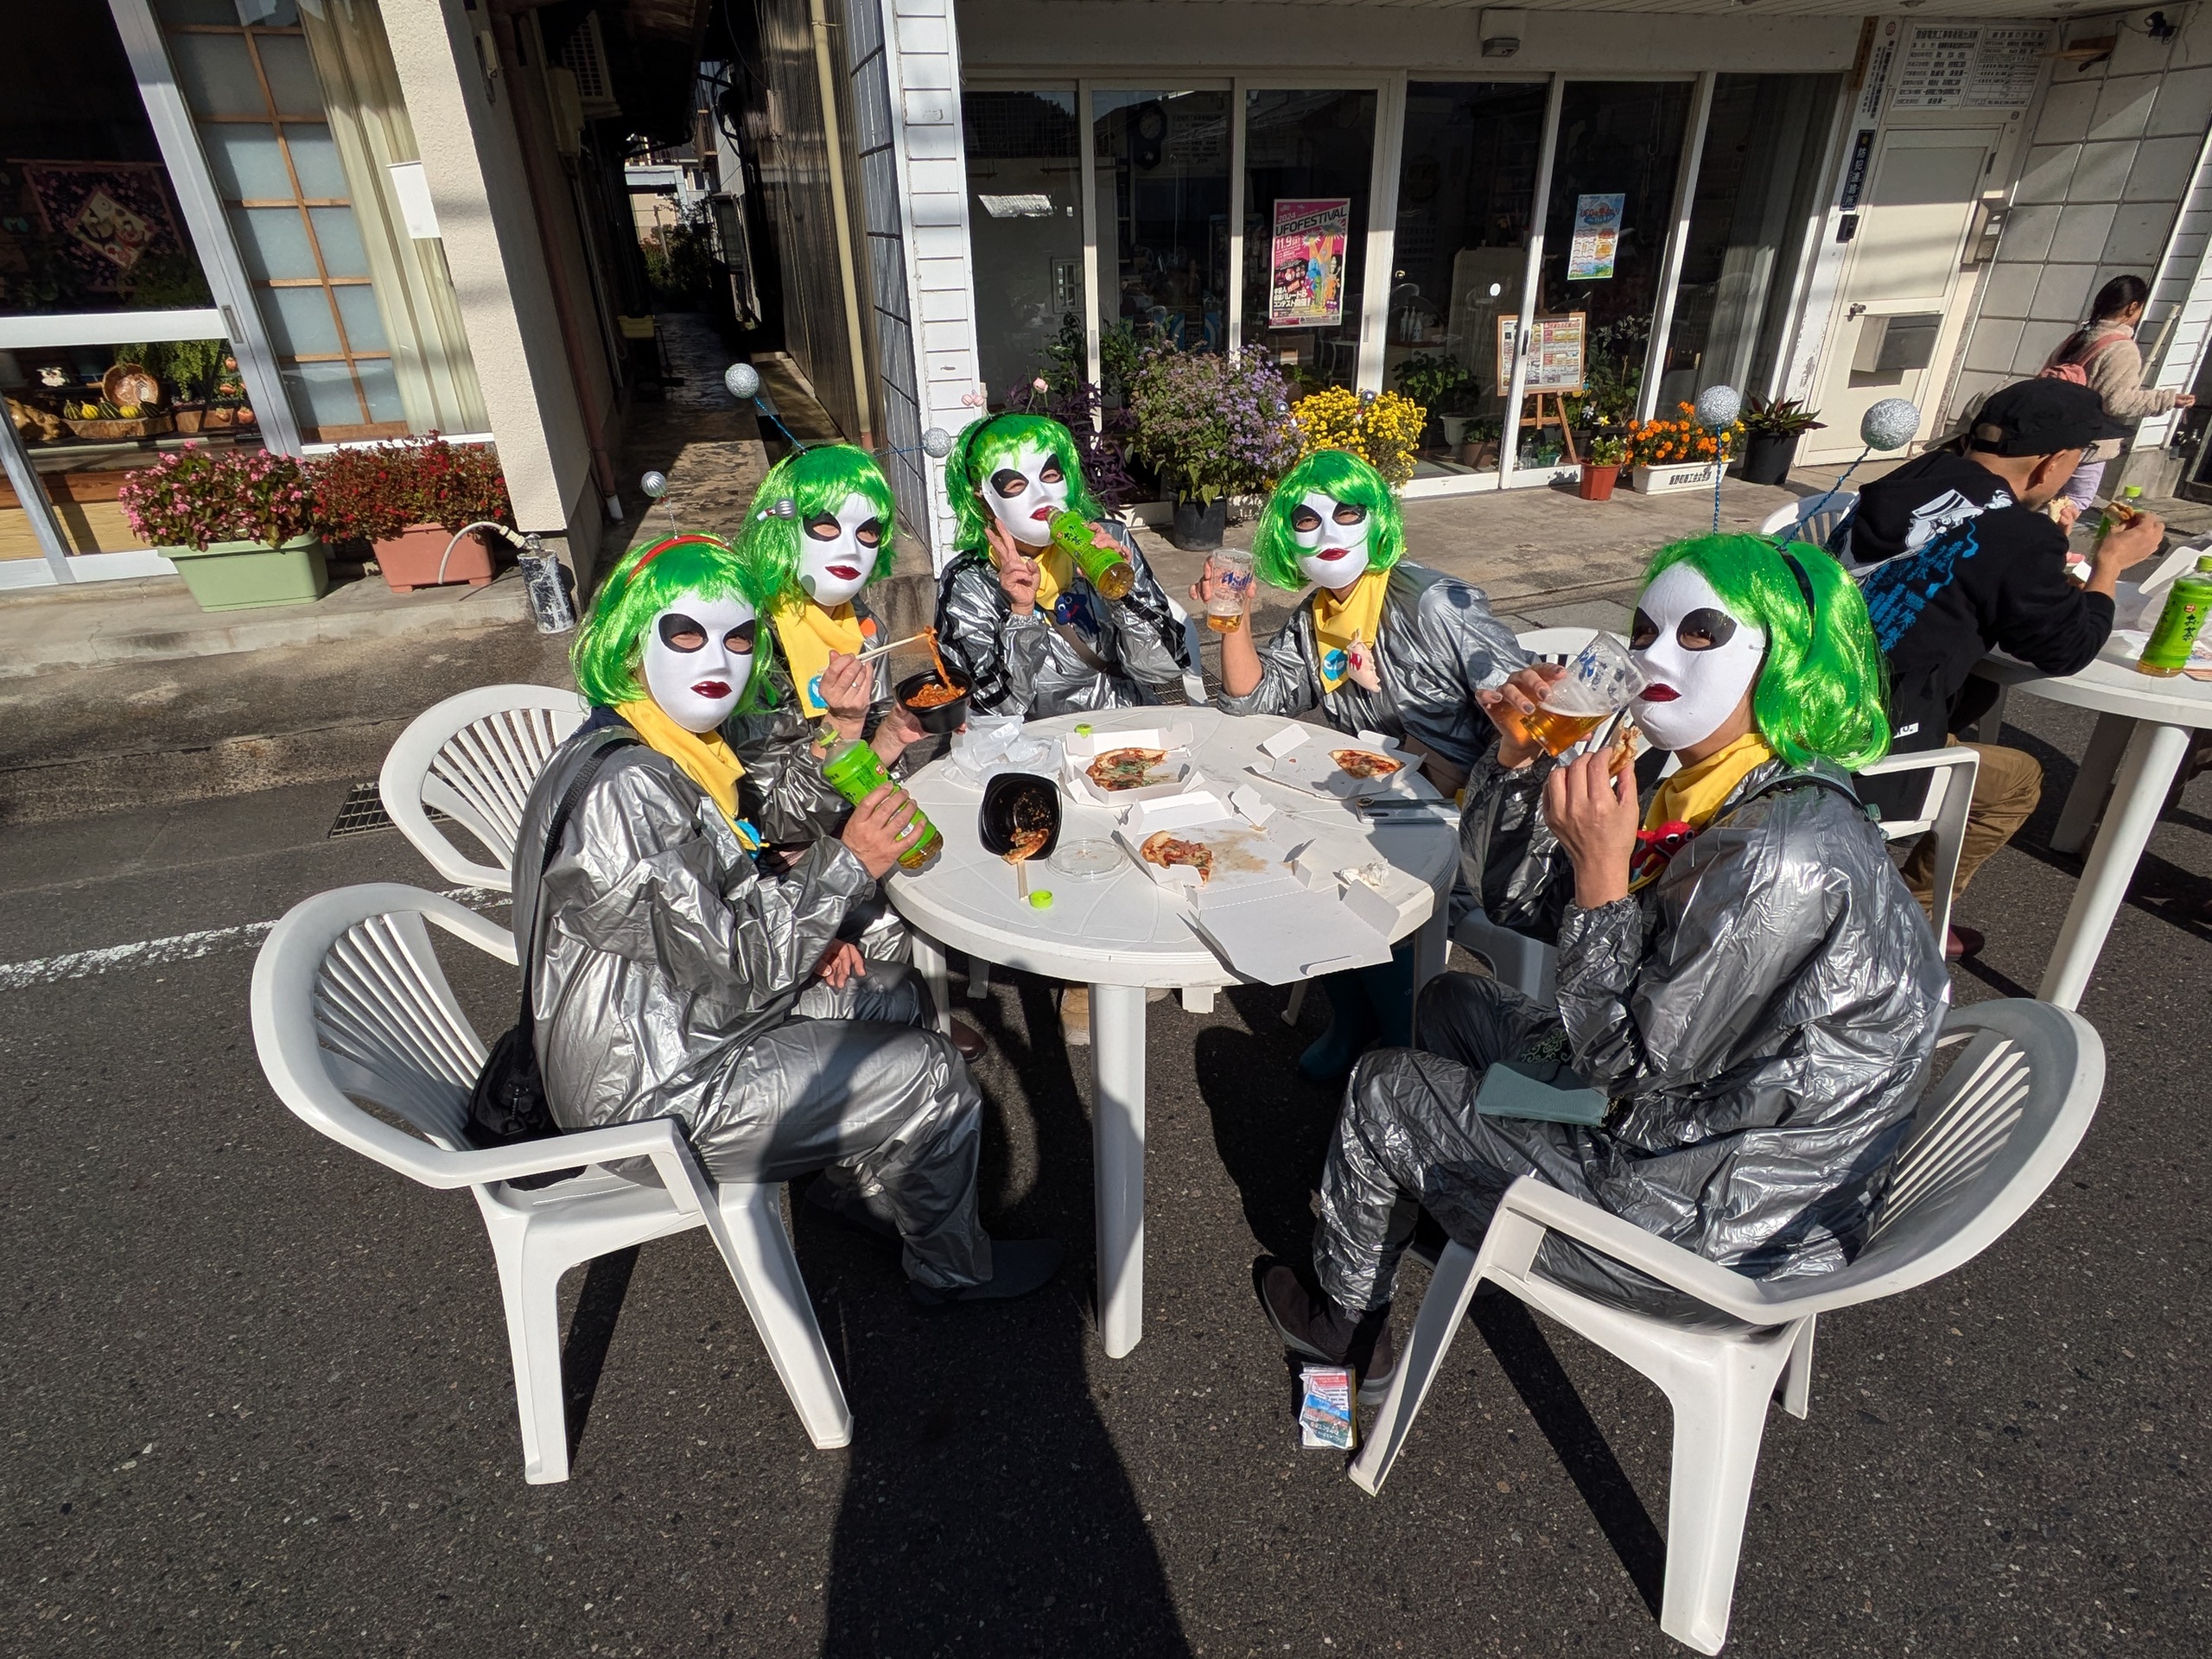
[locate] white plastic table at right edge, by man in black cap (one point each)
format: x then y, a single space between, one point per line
2142 733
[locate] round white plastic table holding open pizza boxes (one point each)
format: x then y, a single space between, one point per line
1123 935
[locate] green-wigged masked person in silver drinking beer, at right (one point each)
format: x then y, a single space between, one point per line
1744 981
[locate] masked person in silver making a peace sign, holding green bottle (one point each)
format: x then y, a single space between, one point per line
1016 616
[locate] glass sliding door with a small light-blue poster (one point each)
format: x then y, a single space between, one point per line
1614 178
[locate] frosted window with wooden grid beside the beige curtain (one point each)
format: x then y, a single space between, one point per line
262 123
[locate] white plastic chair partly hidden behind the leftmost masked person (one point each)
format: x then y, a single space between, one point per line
477 758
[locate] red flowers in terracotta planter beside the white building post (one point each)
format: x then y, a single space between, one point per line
408 501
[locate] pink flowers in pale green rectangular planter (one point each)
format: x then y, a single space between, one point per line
240 525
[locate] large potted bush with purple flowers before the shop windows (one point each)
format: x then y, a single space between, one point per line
1211 428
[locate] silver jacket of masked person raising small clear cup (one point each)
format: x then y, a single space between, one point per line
1439 643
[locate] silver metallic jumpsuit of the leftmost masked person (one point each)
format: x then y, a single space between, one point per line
676 981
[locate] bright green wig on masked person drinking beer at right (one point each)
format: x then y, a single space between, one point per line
1822 691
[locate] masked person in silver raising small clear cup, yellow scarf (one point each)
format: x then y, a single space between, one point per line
1381 647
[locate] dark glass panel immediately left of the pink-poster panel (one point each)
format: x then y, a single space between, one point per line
1162 200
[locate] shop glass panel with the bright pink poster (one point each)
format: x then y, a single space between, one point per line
1308 178
